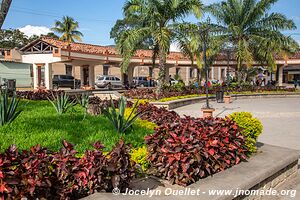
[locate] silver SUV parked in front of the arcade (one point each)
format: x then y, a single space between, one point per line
105 81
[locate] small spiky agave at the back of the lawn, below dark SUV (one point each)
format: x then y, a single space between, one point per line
61 103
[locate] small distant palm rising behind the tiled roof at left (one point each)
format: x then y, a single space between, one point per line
68 28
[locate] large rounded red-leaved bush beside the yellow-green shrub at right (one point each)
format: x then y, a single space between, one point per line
190 149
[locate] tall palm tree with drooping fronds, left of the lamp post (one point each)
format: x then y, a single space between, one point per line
156 20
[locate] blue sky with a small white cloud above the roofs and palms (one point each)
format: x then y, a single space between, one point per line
96 17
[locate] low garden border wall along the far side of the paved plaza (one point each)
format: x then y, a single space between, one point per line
170 105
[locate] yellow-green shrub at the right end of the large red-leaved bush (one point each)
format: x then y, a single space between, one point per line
251 128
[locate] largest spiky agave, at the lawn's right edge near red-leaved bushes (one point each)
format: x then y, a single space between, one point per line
117 116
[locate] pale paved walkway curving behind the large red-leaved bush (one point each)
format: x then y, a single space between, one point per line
280 117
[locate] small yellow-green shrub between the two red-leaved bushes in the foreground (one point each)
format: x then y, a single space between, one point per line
139 156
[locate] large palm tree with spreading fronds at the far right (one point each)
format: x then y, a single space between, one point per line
252 31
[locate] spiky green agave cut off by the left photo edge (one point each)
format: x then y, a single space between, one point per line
8 108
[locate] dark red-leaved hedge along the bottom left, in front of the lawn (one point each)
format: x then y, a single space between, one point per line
39 173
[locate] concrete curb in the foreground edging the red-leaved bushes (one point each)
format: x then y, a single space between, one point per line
265 170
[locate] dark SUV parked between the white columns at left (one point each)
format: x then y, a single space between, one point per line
65 81
